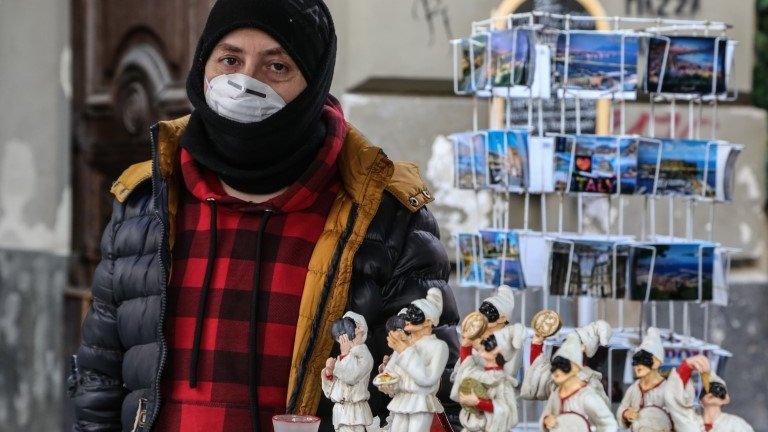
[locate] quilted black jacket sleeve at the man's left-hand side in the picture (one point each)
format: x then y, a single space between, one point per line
95 383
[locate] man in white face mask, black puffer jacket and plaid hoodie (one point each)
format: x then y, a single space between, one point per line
260 220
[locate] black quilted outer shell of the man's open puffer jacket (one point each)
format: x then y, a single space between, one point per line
115 384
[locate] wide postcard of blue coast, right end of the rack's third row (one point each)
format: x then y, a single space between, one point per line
681 271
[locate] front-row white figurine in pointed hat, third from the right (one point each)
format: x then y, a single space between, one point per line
574 400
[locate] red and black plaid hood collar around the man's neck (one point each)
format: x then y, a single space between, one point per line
204 184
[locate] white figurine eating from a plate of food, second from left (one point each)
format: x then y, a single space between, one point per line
419 364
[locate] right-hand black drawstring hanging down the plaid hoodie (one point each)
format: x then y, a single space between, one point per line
253 364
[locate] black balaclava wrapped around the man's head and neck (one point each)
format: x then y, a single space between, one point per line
265 156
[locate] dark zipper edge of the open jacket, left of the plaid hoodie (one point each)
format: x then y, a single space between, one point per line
163 281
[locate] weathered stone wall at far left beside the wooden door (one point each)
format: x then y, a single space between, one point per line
34 210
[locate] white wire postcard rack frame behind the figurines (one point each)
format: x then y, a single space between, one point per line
555 31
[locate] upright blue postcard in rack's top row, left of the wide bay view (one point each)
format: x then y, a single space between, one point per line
512 54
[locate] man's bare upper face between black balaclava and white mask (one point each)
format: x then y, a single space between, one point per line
254 53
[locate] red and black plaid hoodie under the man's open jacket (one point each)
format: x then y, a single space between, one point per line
234 294
